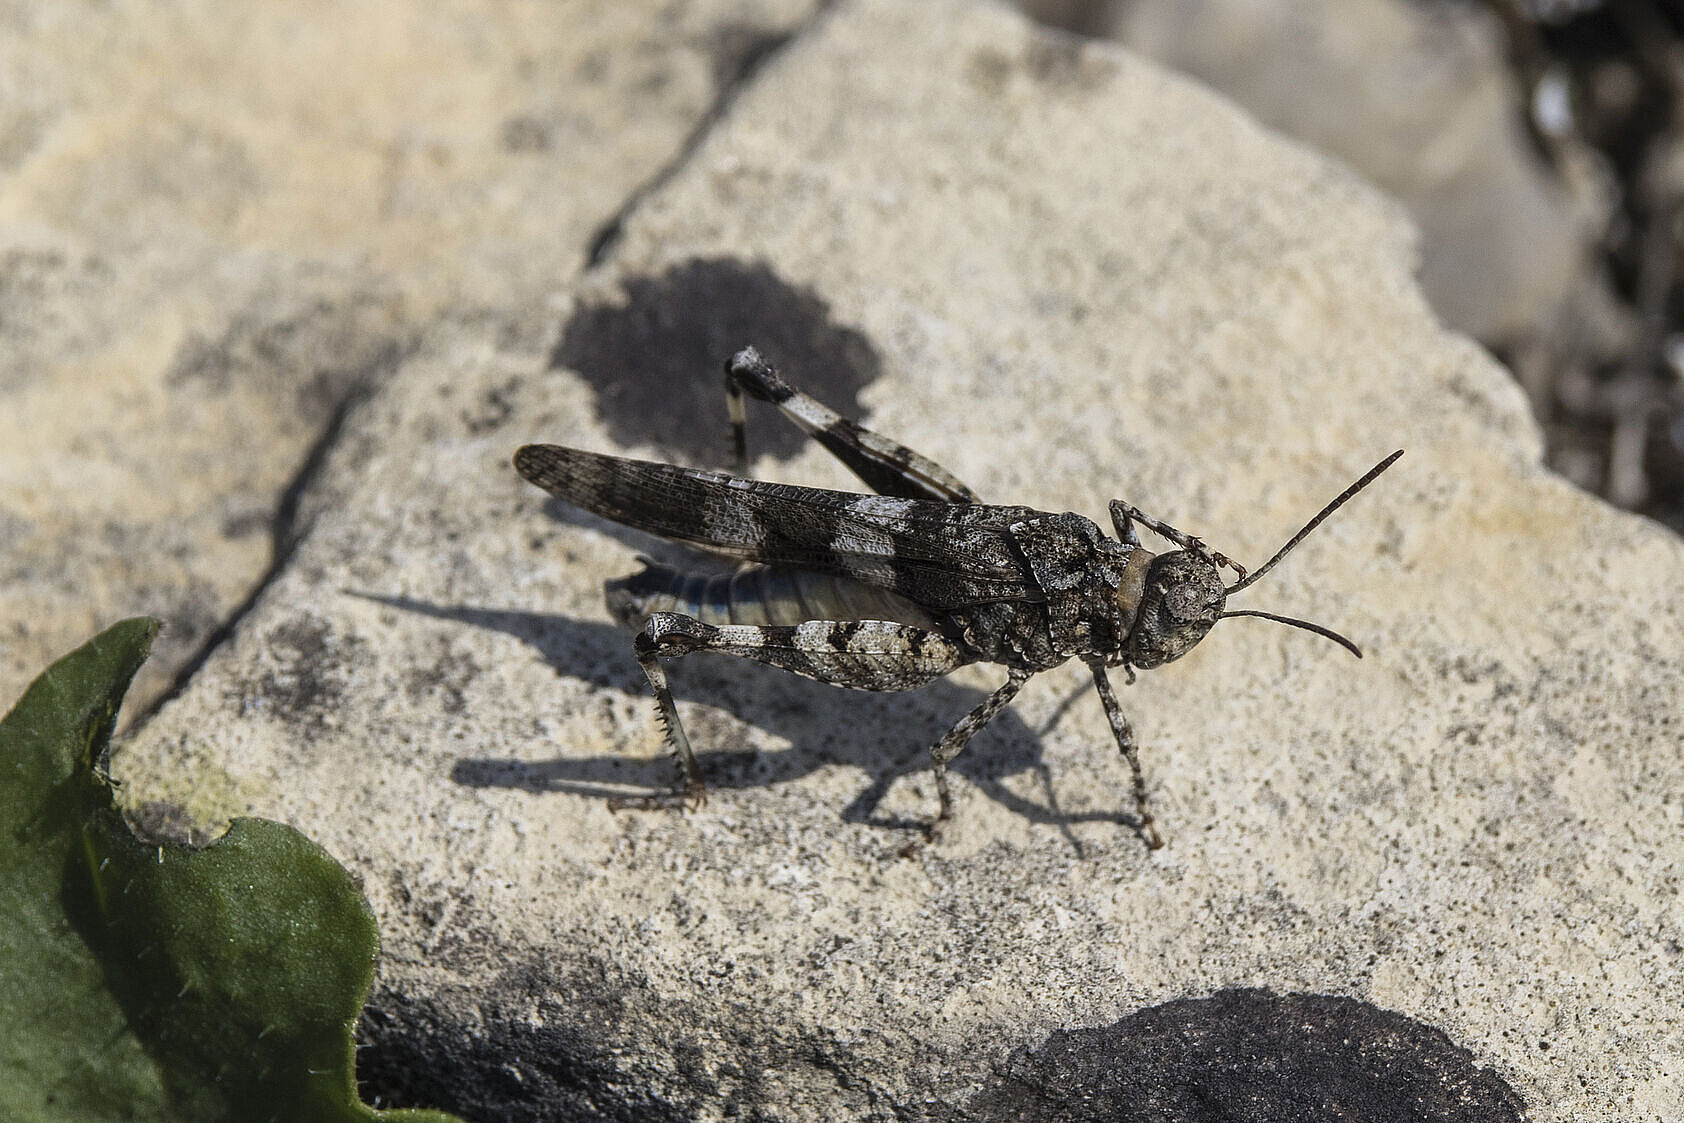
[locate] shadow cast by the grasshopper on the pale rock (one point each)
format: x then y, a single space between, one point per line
823 723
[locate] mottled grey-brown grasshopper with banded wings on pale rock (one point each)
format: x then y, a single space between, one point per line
895 590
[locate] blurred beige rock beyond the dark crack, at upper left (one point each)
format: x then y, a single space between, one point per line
220 223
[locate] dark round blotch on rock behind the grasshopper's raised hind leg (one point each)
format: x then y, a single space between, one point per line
656 361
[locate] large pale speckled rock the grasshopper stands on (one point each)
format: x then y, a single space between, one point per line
1067 275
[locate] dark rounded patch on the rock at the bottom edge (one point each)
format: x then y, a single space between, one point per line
1250 1056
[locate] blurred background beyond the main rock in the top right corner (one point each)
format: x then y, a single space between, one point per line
1537 146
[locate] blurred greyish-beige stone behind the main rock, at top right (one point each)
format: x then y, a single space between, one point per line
1417 97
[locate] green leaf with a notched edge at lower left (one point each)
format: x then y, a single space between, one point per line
163 982
